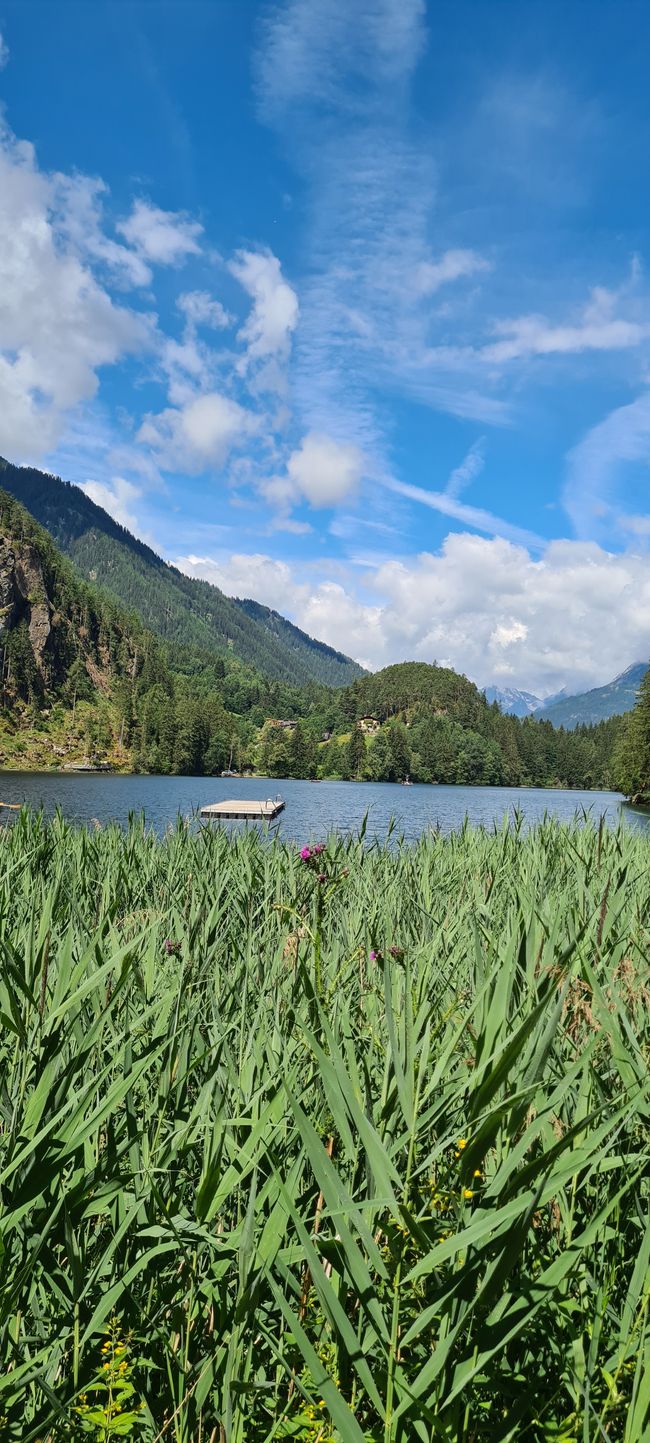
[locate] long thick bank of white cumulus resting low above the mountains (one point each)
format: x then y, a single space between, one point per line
576 618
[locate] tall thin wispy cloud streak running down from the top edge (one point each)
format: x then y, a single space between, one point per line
336 82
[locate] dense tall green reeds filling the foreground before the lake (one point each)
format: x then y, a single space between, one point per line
353 1148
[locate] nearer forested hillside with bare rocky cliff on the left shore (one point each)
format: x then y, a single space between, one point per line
83 680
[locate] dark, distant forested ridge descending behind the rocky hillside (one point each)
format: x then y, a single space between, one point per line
177 608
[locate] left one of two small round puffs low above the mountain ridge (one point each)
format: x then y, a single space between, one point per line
199 435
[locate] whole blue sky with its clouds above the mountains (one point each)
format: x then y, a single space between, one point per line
346 308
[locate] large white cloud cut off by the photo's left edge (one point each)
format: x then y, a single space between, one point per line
57 324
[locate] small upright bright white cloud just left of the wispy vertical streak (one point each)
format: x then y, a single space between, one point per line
268 331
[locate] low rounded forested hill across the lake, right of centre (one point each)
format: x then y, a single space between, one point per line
433 725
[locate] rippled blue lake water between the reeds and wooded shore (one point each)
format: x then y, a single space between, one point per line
313 809
